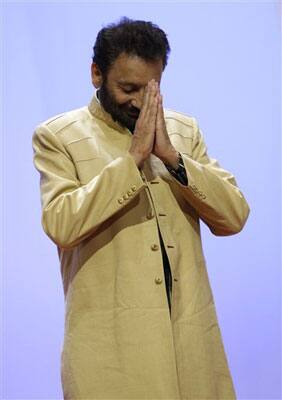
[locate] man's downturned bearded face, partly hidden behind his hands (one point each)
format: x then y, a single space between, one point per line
121 93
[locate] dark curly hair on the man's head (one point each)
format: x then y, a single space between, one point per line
133 37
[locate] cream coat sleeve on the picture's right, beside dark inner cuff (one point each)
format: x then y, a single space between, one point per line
212 191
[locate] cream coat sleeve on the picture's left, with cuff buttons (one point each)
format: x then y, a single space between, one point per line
72 211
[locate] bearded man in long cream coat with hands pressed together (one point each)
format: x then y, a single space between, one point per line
123 185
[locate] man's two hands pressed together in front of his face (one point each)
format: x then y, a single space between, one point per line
150 134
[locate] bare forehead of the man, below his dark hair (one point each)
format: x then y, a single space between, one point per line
133 69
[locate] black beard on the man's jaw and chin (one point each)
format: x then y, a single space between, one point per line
119 112
